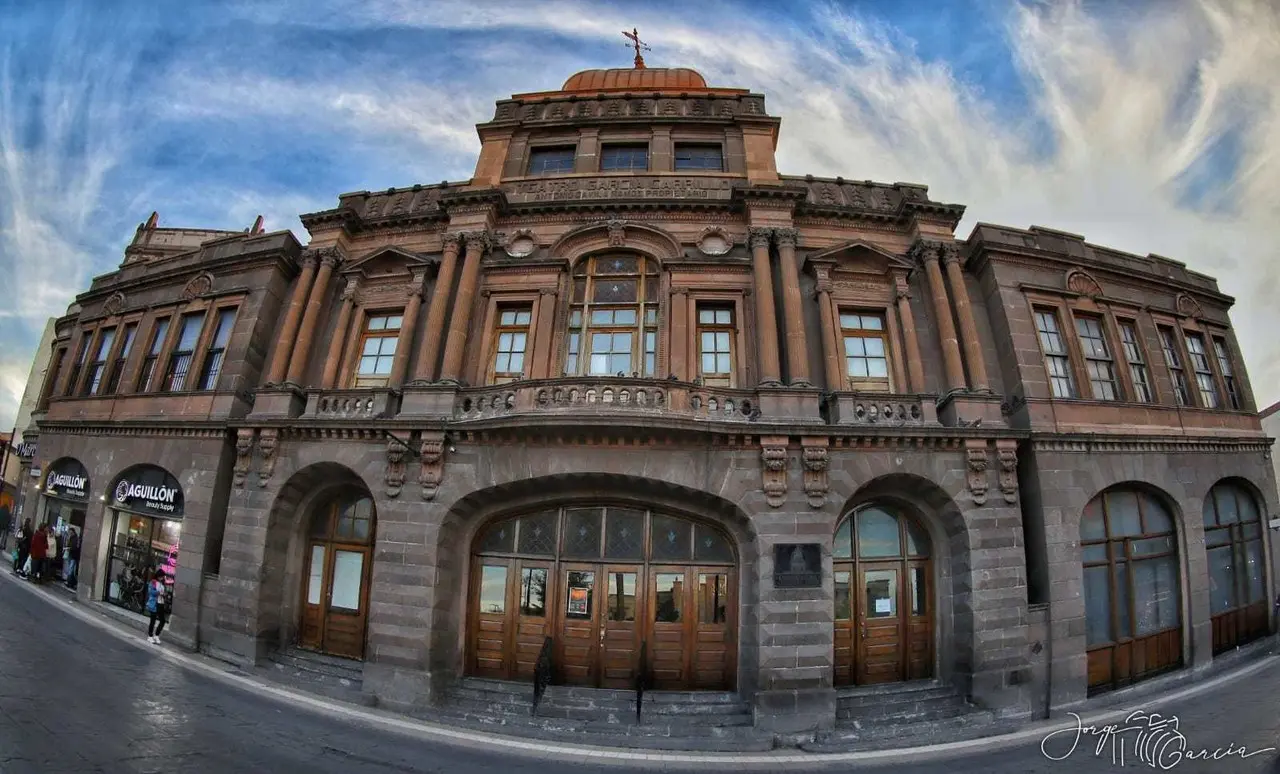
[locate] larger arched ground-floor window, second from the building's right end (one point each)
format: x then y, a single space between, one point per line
1132 597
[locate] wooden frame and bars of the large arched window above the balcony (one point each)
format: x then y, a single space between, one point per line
586 328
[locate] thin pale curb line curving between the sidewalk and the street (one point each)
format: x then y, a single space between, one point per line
482 741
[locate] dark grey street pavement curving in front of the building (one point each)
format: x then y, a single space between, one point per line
76 698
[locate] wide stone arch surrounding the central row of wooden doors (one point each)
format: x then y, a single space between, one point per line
461 530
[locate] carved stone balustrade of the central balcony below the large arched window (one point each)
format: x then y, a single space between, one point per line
609 396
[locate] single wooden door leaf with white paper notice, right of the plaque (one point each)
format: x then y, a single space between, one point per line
880 621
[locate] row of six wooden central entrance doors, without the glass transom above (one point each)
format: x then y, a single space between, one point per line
601 617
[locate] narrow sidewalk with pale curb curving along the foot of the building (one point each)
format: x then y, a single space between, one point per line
130 629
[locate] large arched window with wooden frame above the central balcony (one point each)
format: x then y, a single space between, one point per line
614 318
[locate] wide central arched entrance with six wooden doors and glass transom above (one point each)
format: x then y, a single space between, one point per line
606 584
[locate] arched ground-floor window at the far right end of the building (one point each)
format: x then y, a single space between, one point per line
1233 541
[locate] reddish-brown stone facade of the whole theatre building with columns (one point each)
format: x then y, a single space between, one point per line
964 433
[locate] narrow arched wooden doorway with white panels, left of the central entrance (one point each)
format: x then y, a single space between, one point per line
336 578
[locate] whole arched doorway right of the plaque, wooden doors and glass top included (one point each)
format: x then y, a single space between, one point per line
884 589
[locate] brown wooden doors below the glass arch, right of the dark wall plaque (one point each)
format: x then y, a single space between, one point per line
884 622
